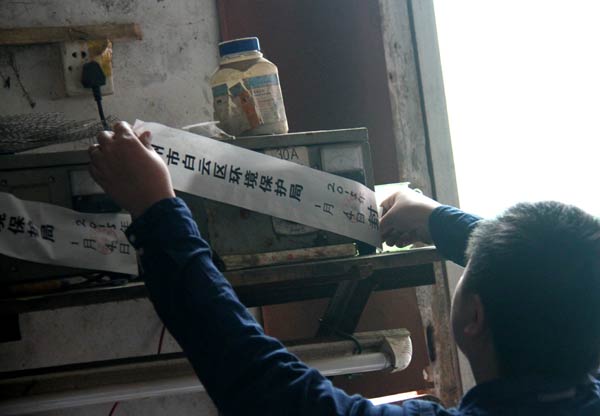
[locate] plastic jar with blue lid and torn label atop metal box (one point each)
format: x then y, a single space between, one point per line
246 92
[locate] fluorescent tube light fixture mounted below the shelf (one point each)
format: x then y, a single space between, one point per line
77 385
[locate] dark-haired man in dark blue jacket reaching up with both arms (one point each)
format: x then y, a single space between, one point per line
526 312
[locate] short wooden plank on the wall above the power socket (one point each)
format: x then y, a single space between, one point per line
53 34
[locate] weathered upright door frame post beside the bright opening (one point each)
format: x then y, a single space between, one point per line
424 156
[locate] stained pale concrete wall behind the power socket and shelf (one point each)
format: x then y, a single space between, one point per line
163 78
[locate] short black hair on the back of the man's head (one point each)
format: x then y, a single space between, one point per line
537 270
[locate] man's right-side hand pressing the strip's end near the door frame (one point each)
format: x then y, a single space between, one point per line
405 218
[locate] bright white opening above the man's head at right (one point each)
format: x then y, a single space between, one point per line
522 81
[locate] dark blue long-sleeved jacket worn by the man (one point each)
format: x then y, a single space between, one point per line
246 372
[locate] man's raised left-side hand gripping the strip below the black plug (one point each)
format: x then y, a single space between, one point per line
129 170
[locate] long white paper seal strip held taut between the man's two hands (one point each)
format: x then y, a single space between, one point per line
248 179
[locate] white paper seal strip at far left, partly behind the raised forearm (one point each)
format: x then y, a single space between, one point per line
47 233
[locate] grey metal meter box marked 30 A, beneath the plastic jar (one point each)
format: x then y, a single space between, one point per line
235 231
